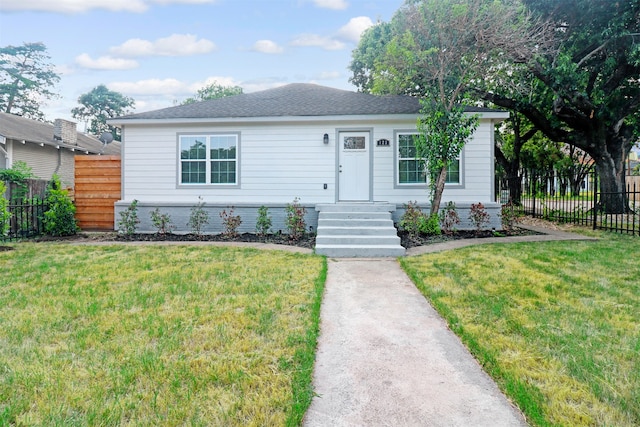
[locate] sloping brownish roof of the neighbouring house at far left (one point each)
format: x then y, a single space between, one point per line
28 130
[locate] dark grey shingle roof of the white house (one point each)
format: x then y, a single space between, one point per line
293 100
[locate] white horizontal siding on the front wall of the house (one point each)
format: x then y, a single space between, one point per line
280 161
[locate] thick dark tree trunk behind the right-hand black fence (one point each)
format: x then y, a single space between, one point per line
613 199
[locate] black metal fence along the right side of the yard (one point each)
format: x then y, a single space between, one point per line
572 199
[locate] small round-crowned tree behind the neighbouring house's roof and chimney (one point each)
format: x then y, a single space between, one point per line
99 105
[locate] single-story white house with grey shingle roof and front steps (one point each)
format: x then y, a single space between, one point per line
321 145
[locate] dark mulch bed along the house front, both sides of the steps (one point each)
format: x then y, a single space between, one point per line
308 241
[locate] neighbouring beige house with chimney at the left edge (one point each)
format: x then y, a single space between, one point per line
48 149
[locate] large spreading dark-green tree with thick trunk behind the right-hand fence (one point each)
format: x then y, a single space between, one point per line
579 61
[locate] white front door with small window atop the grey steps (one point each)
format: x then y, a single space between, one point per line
353 168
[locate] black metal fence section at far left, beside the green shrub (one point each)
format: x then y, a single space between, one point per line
26 219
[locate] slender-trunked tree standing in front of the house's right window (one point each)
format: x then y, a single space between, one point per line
430 49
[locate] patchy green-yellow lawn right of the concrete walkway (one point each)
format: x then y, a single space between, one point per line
557 324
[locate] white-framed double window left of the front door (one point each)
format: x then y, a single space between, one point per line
209 159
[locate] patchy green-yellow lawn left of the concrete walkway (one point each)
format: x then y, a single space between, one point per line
156 335
